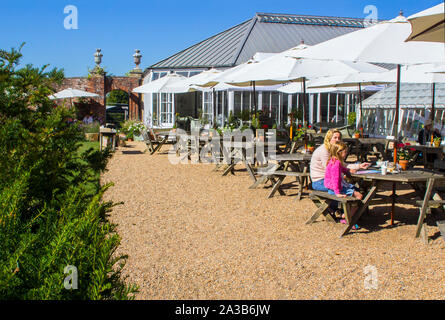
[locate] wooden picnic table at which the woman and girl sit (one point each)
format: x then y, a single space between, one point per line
419 179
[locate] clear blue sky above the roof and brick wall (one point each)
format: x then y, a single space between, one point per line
159 28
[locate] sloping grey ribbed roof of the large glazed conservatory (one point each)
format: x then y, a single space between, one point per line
263 33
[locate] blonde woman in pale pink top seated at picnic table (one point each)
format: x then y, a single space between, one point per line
320 159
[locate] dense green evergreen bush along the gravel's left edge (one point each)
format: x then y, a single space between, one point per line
51 208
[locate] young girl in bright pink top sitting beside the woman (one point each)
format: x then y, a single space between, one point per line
334 175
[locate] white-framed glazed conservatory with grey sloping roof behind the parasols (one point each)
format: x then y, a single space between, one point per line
264 33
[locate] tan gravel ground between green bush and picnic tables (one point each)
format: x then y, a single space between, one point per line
192 234
